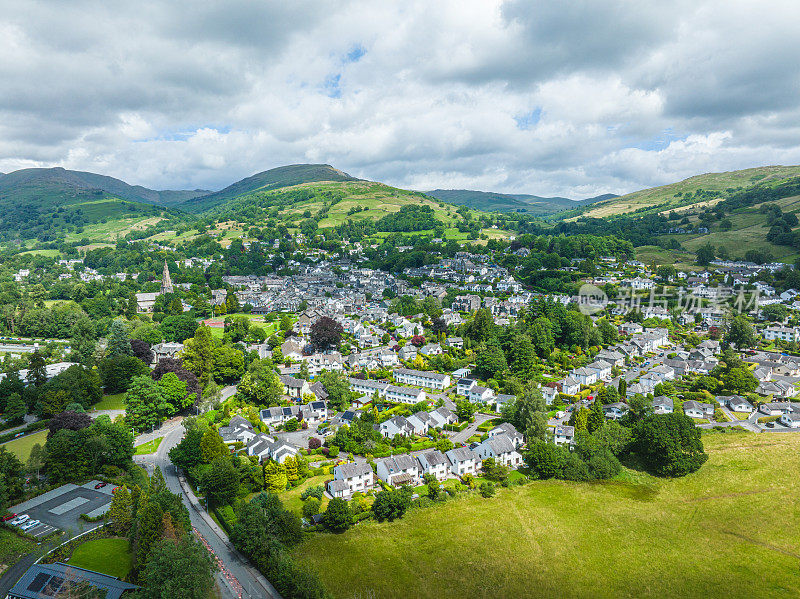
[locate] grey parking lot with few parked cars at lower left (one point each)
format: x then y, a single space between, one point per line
60 509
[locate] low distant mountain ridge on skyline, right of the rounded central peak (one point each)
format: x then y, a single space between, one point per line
503 202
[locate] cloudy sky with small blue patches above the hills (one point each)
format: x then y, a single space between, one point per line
570 98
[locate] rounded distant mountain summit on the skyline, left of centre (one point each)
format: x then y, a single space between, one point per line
283 176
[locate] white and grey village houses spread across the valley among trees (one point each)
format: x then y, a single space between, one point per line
645 357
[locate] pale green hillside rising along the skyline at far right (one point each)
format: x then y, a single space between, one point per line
702 189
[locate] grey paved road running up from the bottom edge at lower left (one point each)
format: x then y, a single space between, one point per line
253 584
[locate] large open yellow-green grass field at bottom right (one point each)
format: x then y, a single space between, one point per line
729 529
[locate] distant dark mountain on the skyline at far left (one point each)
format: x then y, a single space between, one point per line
58 185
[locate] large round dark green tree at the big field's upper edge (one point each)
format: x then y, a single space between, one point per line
669 444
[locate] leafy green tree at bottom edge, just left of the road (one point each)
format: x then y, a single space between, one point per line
178 569
